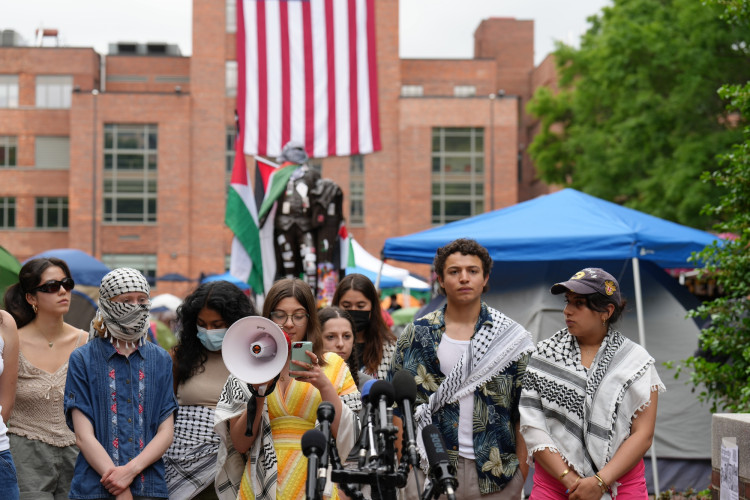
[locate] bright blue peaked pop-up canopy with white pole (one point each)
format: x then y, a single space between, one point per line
563 227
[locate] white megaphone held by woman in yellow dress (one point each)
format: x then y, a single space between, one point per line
255 349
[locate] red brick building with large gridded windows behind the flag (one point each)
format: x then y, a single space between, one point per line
126 156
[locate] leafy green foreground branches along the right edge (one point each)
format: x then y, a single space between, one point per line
723 371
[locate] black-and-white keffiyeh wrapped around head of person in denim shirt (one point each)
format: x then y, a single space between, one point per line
119 321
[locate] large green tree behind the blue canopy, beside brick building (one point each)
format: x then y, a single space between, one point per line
637 117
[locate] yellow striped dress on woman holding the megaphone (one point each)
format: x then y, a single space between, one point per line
292 414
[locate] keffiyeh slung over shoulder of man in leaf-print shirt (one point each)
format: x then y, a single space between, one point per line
493 348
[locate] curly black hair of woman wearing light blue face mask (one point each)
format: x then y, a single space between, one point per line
220 296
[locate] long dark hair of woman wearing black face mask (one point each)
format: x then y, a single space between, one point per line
377 333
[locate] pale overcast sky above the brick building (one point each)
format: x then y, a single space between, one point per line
429 28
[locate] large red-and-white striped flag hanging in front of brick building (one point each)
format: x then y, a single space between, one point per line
308 70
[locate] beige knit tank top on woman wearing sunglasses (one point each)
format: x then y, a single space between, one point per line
38 412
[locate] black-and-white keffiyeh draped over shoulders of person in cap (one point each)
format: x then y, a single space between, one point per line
585 414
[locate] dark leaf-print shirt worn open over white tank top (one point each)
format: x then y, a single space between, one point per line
495 403
